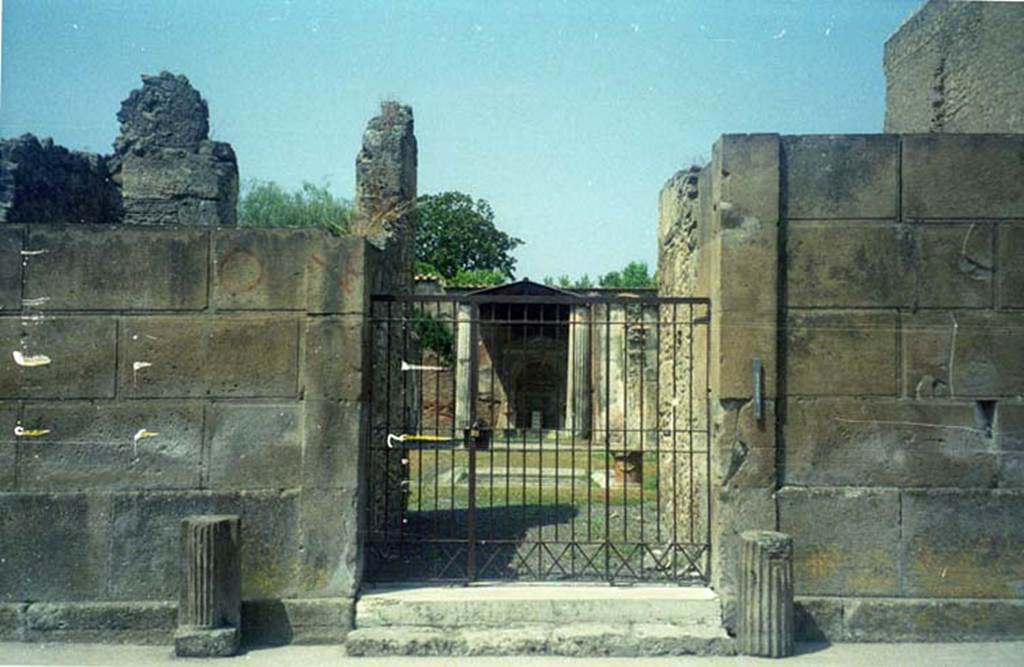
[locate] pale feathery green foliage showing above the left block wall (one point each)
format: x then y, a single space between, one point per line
266 204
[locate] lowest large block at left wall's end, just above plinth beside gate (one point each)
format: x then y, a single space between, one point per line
331 549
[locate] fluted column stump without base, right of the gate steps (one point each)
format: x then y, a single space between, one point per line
764 614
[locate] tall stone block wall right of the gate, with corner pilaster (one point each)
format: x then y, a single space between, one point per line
886 306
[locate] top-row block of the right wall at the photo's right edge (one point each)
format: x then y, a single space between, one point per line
963 177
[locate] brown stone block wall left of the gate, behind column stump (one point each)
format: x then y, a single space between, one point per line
154 372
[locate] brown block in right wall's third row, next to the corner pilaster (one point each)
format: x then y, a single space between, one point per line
841 354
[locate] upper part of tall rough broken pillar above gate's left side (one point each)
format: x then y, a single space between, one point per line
386 192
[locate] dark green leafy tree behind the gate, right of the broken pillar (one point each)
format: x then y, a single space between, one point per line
456 234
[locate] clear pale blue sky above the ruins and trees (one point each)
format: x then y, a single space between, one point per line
568 117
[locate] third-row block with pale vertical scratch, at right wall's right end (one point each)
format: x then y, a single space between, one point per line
964 355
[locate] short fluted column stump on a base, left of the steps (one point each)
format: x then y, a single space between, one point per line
210 605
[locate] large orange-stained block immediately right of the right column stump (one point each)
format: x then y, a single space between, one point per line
845 540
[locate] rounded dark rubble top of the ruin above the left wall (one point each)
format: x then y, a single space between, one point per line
165 112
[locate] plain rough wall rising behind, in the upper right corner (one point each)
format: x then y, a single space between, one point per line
957 67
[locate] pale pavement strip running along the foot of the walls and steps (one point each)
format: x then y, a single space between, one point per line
872 655
